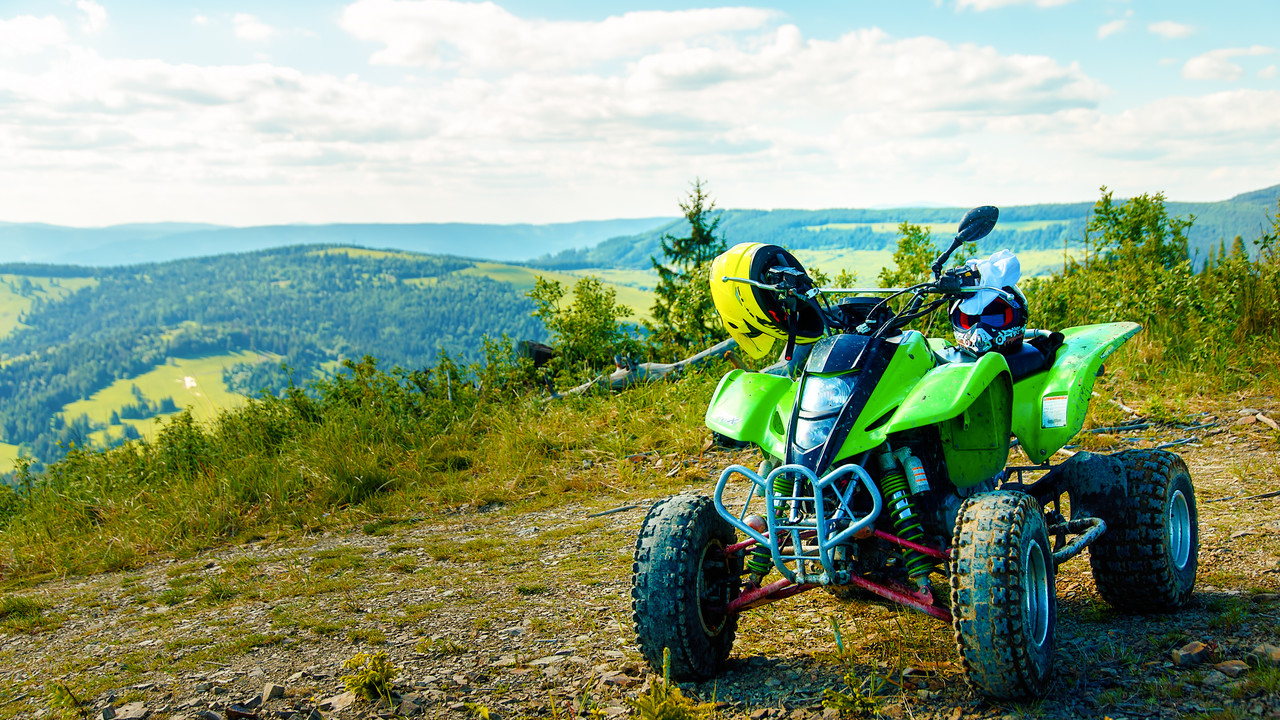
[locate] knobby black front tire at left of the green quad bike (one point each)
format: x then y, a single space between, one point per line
682 585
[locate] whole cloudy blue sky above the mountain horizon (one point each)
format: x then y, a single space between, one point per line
525 111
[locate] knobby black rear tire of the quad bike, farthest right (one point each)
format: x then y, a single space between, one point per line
1148 562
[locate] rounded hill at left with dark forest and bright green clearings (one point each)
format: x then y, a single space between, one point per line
93 356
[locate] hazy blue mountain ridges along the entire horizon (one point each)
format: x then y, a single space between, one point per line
624 244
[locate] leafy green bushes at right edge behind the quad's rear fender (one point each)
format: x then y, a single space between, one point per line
1220 325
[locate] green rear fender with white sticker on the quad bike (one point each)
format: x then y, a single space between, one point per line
1050 408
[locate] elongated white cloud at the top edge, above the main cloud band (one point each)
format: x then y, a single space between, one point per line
444 33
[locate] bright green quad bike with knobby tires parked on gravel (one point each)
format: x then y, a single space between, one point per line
886 471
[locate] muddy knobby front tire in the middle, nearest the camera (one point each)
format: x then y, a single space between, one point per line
1003 599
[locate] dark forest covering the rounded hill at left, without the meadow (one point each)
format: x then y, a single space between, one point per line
309 306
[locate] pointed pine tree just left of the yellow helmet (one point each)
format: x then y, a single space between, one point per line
684 315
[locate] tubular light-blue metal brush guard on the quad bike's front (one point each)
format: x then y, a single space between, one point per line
829 528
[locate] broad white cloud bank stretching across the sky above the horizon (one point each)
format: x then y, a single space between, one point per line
774 117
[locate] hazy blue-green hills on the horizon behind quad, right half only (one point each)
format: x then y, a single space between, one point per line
1022 227
